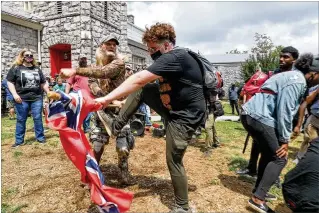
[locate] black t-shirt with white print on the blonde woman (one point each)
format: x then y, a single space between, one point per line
27 81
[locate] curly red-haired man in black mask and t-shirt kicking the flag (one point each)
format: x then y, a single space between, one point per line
182 106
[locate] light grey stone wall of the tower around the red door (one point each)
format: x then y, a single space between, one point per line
81 24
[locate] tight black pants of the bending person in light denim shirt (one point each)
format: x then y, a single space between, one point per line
270 166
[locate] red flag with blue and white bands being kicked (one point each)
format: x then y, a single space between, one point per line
66 115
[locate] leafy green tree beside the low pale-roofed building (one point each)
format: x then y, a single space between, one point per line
265 53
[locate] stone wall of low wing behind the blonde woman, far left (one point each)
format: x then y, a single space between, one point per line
14 38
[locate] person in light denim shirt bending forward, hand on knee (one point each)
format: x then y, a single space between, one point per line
271 125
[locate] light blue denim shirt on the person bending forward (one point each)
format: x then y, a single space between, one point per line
277 110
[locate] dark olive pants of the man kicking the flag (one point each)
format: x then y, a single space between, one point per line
177 137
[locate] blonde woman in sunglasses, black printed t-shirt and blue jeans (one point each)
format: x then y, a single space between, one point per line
26 83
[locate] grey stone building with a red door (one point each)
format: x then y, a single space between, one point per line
58 32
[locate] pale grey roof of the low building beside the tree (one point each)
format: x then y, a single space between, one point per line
226 58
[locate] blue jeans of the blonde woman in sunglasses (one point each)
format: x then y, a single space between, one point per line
22 111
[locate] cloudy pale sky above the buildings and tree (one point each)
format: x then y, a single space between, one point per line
218 27
